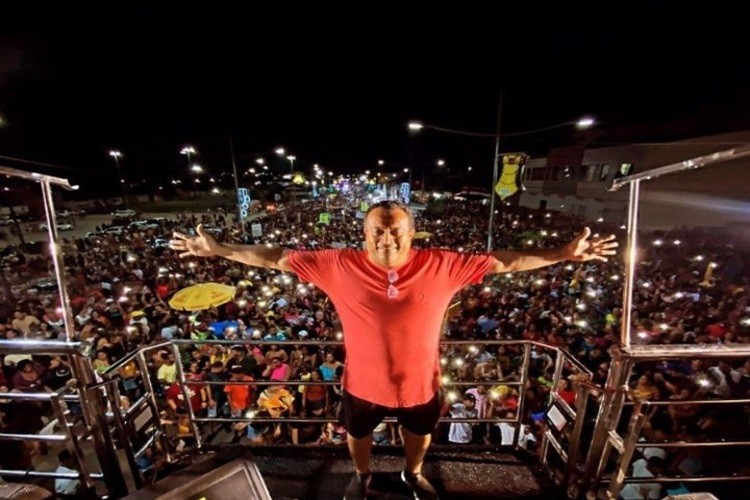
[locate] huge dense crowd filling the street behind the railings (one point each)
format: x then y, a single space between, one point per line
691 288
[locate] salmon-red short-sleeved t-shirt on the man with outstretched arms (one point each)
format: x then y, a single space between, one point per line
391 344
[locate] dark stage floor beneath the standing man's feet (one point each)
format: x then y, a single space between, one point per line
476 472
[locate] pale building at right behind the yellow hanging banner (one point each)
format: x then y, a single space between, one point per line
574 180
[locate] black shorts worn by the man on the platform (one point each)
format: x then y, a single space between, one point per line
360 417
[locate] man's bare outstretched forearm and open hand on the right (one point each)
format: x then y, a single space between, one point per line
582 248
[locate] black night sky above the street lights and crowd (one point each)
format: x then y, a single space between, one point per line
336 85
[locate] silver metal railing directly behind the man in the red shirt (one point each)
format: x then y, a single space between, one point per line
526 352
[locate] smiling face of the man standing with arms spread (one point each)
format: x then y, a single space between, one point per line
388 235
